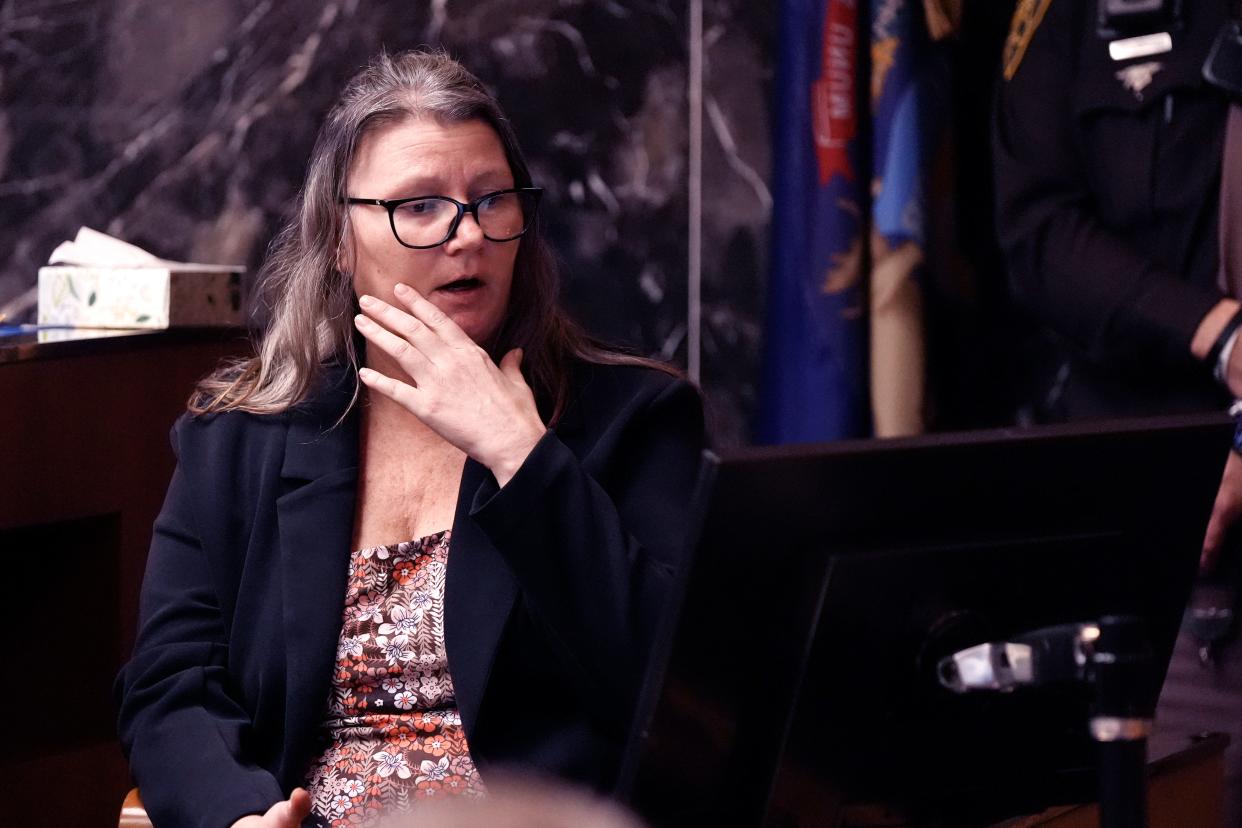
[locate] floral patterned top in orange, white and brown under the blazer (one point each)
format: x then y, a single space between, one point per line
392 717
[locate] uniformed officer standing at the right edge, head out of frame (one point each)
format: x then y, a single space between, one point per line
1108 145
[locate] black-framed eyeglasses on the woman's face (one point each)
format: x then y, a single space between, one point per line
432 220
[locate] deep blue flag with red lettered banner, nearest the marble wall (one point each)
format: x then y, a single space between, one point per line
814 383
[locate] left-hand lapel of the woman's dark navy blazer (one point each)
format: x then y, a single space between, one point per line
316 521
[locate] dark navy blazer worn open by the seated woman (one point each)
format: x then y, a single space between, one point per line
555 590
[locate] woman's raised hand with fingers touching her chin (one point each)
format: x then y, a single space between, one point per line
485 410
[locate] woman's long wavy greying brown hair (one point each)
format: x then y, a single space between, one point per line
311 301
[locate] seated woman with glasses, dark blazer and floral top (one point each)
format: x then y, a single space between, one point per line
429 529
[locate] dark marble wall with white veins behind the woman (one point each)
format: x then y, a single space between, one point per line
184 127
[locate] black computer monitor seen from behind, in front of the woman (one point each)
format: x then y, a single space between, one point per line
799 670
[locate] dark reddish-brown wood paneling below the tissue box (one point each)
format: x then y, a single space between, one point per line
86 459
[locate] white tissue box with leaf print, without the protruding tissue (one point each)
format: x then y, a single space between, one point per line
140 297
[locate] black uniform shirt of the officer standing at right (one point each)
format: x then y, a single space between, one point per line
1108 181
